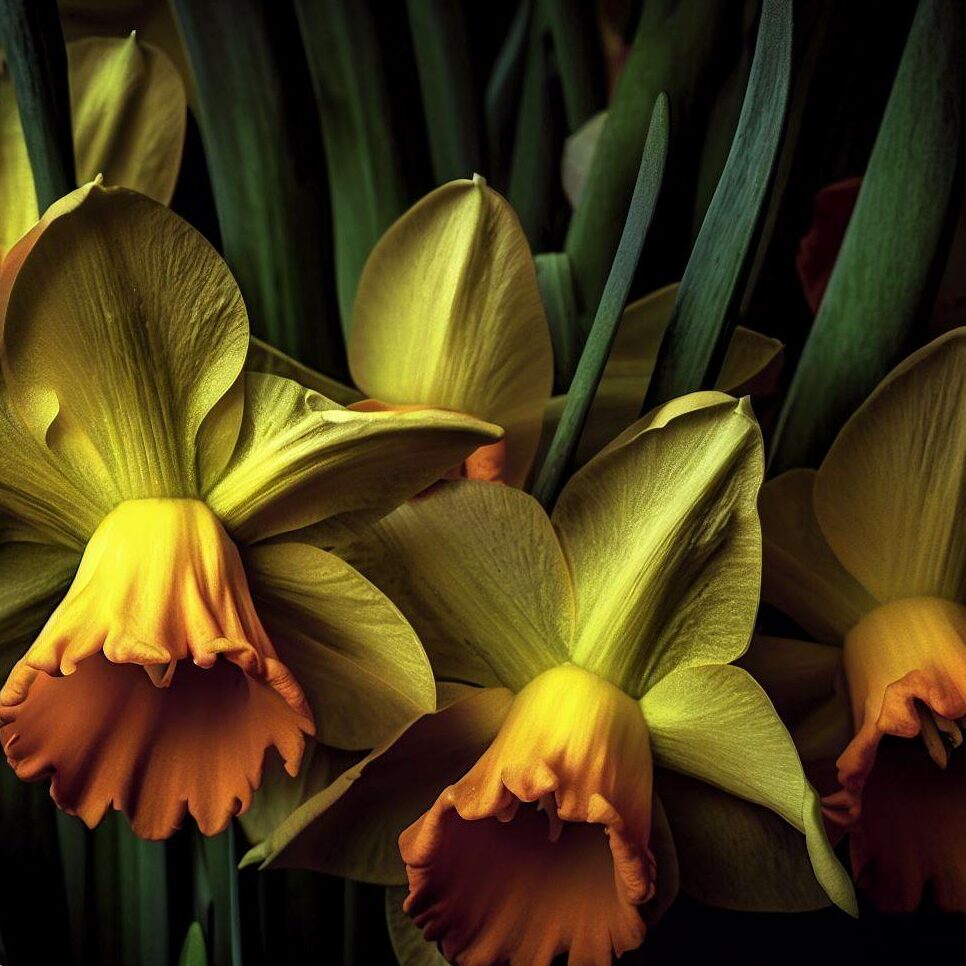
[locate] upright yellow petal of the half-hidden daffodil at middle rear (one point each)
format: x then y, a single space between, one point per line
448 314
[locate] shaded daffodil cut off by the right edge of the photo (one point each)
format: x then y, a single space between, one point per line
868 554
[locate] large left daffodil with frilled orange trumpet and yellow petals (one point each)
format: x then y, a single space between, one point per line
167 602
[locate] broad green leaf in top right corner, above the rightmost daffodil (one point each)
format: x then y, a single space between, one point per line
888 265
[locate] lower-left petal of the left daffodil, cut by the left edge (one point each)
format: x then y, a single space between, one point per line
33 576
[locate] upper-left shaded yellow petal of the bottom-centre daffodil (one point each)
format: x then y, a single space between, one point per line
478 571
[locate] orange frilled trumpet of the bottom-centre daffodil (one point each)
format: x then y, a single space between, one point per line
541 849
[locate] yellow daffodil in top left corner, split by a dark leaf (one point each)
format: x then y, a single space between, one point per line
128 114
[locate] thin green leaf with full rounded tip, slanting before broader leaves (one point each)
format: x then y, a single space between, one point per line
611 308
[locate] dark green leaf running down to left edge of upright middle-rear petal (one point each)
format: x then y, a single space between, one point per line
366 185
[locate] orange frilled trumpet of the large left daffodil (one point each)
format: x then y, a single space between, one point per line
123 701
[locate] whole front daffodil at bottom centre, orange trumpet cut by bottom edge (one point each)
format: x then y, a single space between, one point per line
583 668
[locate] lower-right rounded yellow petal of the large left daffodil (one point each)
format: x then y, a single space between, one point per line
360 664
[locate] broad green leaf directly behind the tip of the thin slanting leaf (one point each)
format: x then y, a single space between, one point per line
676 44
